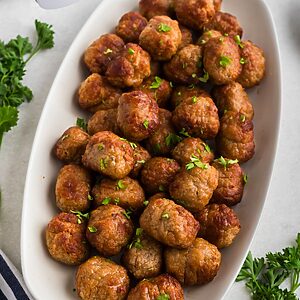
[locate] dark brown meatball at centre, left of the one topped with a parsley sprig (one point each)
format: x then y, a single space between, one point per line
158 173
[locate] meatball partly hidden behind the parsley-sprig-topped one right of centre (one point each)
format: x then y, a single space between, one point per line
192 147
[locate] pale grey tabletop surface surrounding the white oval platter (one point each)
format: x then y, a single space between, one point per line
280 220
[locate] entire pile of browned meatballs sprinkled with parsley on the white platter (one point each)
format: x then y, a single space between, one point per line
152 177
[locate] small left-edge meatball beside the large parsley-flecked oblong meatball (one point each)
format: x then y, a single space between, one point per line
71 145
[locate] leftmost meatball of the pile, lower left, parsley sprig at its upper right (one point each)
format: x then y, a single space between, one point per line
65 238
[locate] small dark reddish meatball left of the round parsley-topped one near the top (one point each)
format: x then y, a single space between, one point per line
130 26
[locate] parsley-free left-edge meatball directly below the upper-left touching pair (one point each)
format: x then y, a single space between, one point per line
95 93
